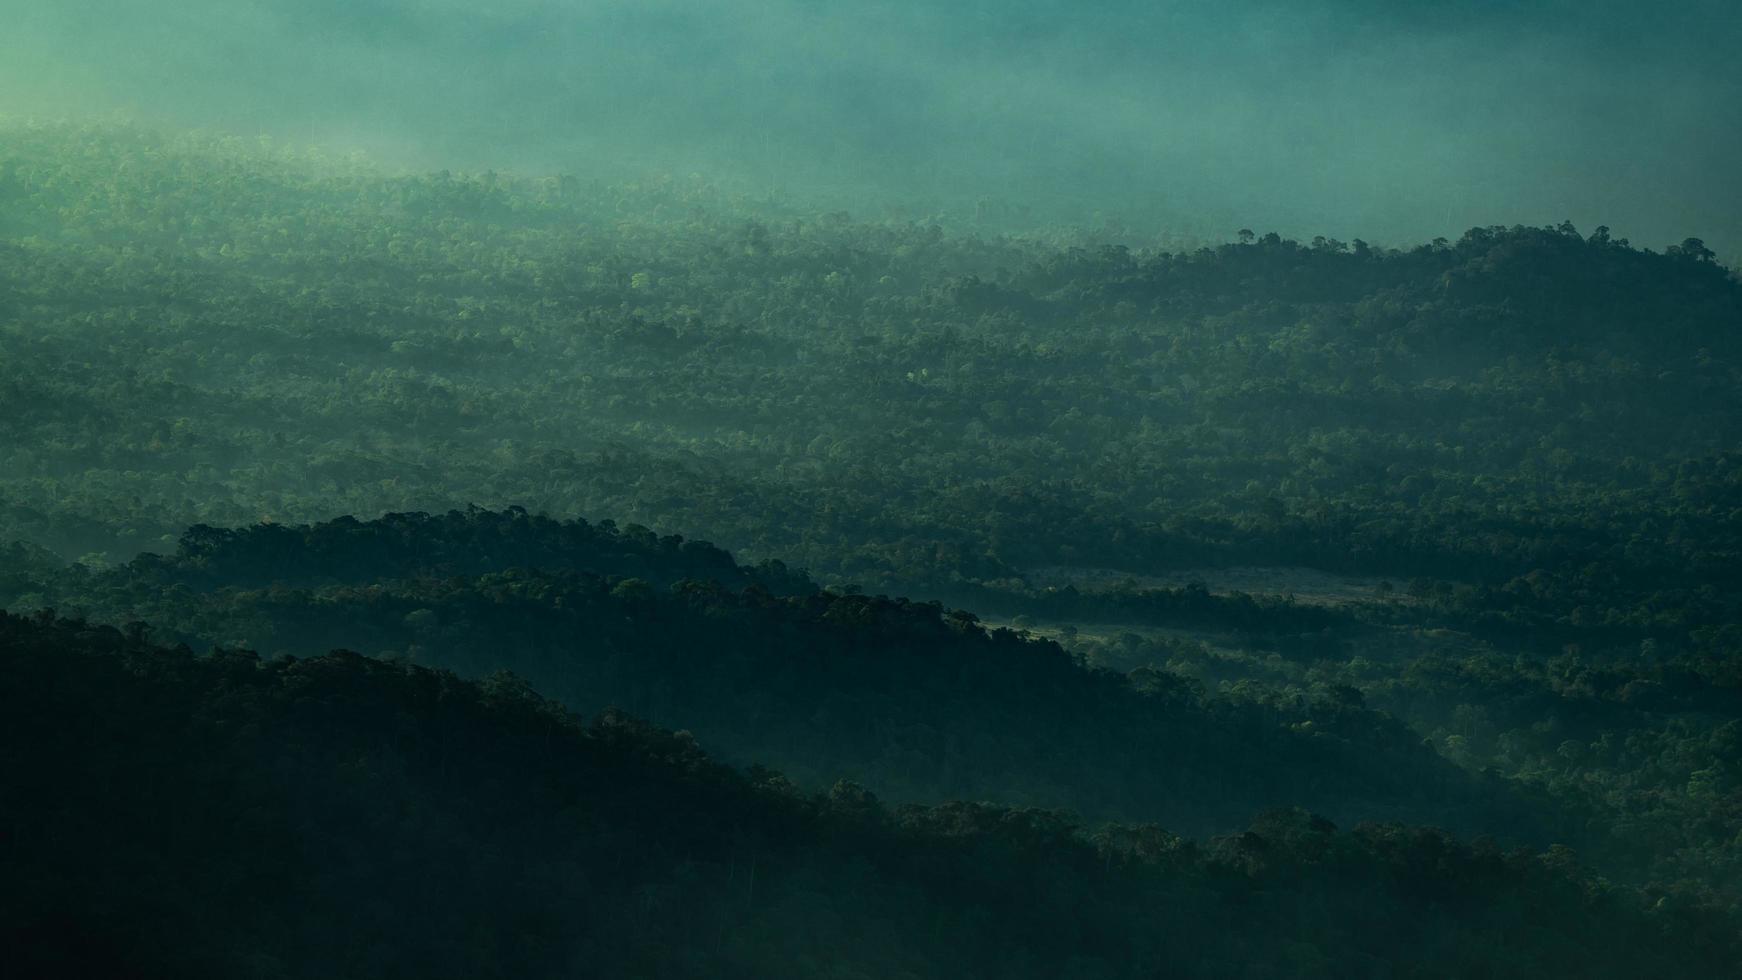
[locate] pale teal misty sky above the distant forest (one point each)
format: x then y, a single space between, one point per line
1384 119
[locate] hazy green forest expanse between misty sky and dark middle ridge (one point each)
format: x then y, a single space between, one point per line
888 405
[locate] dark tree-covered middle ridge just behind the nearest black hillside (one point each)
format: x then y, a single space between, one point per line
910 699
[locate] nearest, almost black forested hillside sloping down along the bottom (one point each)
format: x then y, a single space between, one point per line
170 816
